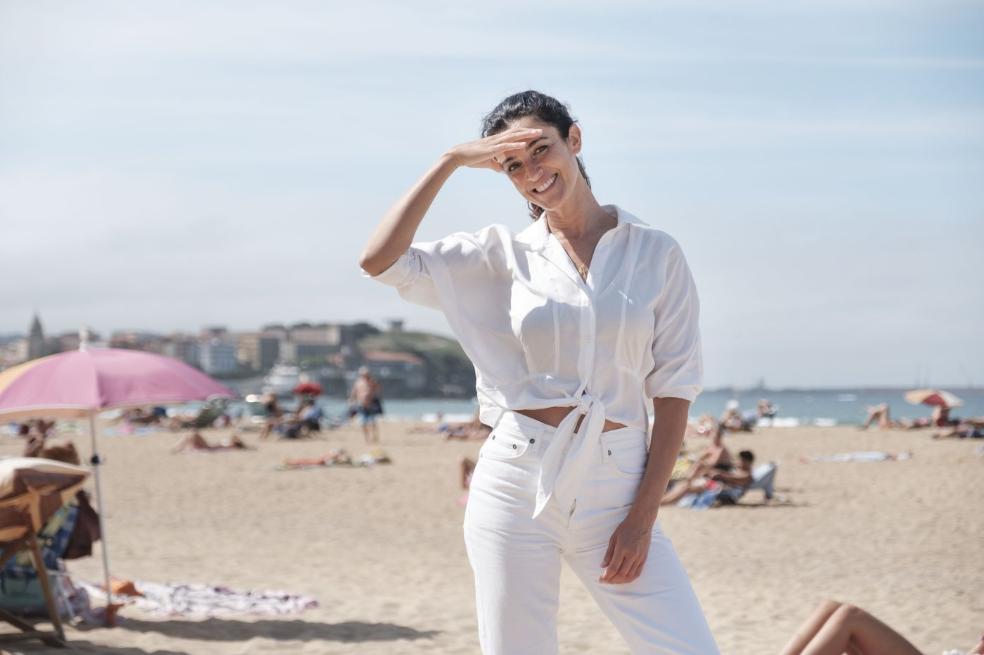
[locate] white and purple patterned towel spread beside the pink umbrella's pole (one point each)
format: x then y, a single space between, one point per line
200 600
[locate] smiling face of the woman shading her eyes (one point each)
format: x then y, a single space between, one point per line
545 172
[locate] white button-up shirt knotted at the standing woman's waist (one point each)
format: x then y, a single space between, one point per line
540 336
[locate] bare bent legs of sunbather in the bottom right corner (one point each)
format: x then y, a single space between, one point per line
836 628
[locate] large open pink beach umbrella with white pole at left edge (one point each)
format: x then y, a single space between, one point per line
82 383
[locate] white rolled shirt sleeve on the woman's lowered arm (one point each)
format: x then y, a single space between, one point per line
678 370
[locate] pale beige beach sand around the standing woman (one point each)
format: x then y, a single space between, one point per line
381 548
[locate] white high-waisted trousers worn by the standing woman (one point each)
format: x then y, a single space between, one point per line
516 558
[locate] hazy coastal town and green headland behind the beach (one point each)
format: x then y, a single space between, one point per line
409 364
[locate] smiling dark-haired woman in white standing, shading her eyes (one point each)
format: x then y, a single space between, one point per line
572 325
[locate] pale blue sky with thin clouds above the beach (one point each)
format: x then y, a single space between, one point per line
166 166
